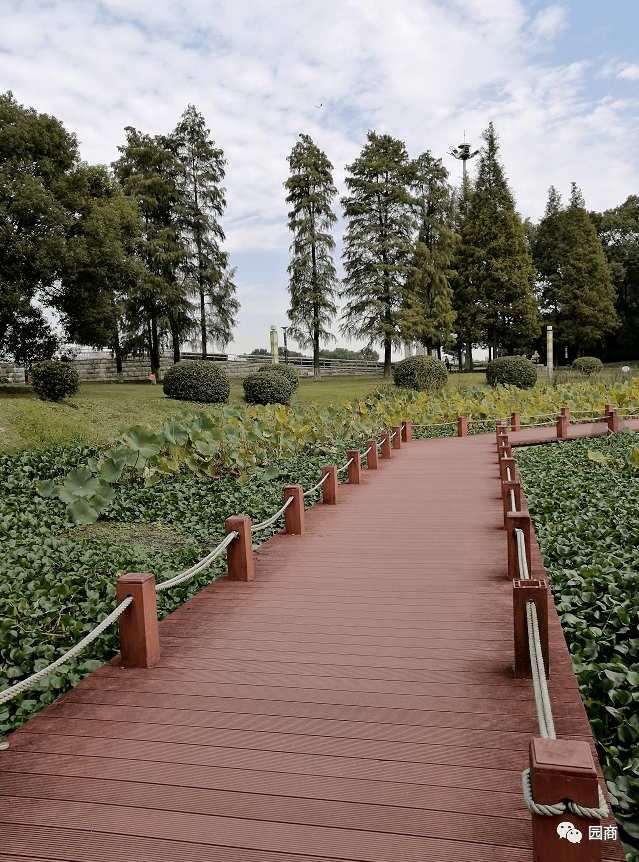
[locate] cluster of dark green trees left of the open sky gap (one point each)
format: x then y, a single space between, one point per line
130 256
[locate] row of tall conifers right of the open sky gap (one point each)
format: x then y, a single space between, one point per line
450 268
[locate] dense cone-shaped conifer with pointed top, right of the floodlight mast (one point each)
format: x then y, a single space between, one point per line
493 262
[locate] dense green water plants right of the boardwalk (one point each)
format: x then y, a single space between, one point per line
583 498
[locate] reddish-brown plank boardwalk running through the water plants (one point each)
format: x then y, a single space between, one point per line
354 701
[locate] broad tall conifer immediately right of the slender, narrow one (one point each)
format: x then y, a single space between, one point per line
379 242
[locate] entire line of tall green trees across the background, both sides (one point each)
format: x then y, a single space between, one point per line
131 256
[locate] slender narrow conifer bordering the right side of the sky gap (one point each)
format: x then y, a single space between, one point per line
313 280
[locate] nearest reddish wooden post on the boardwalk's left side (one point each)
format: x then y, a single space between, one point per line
139 638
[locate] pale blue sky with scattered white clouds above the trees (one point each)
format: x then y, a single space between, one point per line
560 82
